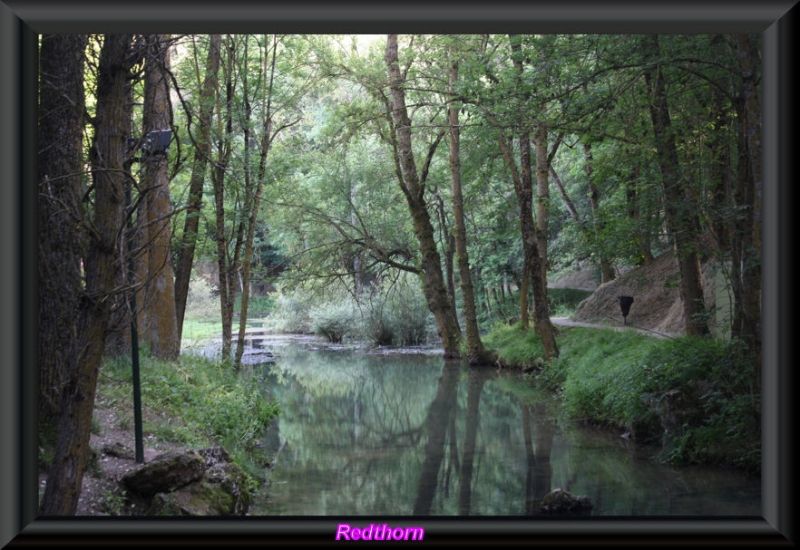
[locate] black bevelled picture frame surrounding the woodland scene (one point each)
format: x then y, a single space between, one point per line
21 21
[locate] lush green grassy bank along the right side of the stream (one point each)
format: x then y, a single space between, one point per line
691 396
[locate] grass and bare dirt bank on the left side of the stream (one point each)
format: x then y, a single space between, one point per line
191 403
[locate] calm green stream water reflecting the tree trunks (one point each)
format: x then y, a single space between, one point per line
411 434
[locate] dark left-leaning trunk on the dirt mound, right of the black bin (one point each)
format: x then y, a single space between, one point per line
680 213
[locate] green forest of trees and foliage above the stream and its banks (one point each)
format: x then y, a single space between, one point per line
365 179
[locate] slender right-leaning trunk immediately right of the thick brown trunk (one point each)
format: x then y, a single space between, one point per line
202 152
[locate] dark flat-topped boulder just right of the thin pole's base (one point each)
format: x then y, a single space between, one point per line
167 472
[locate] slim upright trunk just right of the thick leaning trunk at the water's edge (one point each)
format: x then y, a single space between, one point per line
476 354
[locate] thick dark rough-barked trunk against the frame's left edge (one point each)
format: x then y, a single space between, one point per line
60 165
